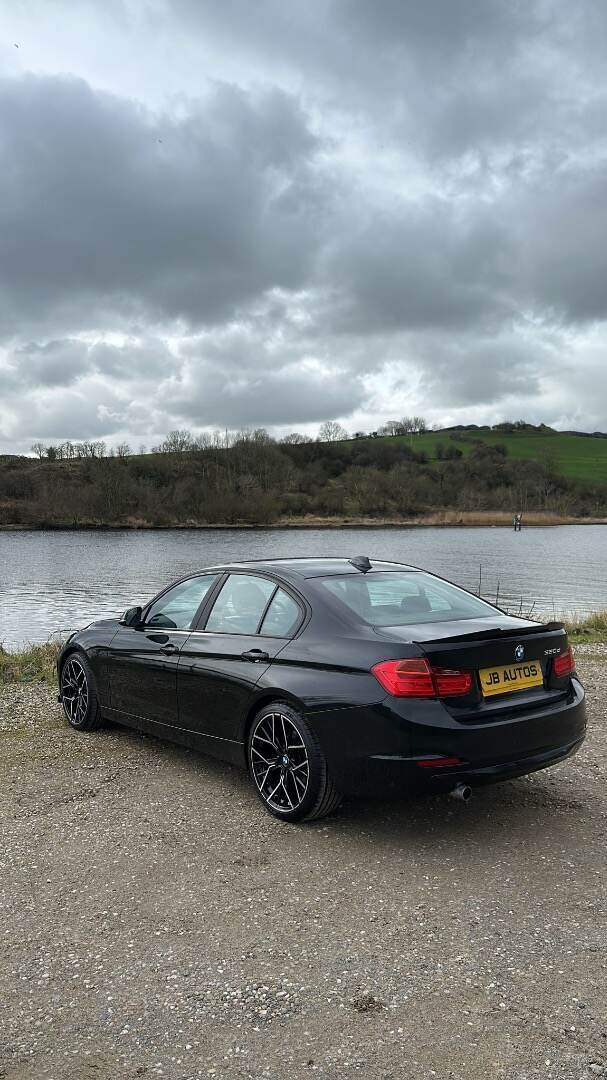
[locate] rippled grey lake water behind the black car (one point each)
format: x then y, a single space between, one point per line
55 582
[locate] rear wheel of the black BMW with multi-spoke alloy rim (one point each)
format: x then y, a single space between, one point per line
289 767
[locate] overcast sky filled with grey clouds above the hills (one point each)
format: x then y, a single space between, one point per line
272 213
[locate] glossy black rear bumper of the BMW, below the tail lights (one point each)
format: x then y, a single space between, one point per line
389 750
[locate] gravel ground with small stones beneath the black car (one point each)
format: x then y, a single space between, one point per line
157 923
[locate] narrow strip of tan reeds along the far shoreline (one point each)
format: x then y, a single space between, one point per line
439 520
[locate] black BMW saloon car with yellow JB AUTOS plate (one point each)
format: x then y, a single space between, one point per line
328 678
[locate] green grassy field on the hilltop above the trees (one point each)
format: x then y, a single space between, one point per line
575 456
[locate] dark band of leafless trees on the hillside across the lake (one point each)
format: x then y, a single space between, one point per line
251 478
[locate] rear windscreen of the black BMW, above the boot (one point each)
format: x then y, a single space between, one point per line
396 600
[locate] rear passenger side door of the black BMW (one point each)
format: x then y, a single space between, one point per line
223 663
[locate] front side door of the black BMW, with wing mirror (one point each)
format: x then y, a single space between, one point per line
143 660
